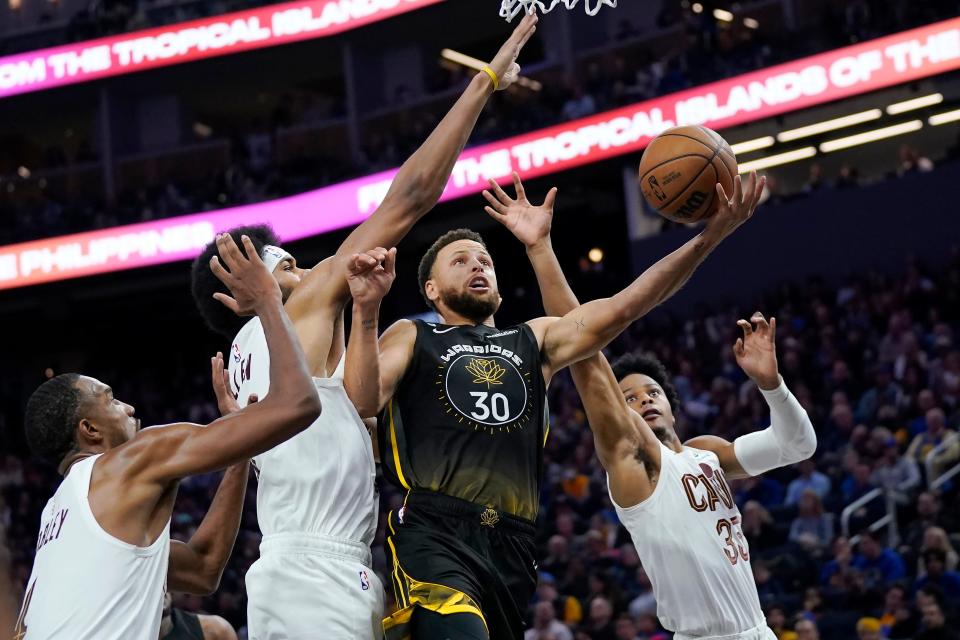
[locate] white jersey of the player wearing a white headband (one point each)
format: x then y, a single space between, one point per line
321 481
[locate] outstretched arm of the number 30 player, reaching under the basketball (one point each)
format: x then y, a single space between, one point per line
590 327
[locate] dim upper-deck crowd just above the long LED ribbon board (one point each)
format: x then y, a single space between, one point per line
256 170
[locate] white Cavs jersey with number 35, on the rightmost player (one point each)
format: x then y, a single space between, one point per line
688 537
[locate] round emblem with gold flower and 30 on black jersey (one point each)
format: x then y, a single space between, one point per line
487 392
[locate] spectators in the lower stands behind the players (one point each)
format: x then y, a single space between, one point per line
876 363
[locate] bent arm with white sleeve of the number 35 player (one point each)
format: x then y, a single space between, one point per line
790 437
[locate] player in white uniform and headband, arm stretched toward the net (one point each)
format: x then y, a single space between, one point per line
316 498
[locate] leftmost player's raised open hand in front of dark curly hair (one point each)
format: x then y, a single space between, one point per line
245 276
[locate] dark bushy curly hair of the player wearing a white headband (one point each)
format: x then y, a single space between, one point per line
203 284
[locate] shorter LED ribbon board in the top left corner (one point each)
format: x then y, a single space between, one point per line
195 40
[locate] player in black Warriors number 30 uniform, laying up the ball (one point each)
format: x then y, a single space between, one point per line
465 420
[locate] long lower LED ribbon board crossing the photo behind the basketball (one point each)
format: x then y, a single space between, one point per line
838 74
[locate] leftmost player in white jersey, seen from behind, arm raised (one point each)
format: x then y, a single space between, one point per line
104 555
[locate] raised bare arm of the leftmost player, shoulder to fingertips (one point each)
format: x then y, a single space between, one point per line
177 451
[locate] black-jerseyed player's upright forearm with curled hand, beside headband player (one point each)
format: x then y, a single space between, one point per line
370 276
